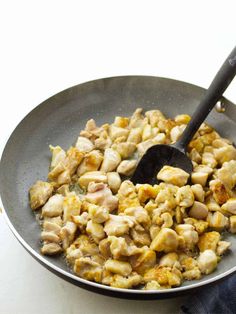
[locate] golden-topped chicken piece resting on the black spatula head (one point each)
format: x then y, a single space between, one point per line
173 175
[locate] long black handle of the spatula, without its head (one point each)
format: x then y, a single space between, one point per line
219 84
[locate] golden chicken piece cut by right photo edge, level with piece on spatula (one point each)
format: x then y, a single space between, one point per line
227 174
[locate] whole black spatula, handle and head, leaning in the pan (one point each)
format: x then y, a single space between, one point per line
175 155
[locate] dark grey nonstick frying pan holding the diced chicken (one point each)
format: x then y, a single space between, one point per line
58 121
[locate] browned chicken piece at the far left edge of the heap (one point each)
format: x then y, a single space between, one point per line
39 194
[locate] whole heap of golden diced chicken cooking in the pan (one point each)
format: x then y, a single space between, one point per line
124 235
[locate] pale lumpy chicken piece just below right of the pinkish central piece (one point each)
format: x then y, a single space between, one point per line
118 225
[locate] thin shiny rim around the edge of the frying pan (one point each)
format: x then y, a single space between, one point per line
58 270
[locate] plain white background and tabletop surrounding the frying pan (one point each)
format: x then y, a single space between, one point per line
47 46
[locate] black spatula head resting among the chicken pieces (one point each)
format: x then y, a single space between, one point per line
155 158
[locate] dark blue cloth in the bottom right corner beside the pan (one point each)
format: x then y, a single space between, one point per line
216 299
